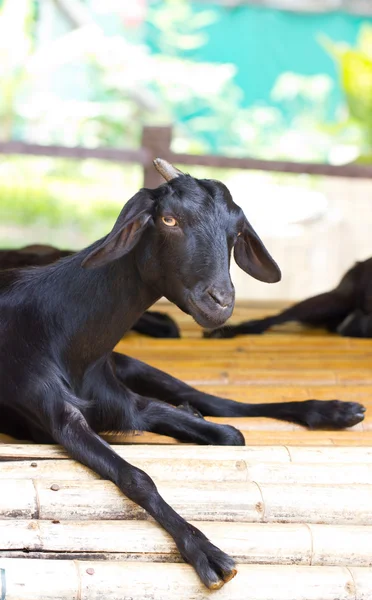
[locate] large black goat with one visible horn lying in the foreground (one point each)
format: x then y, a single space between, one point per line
61 382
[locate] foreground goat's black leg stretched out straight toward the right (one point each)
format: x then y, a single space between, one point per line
315 414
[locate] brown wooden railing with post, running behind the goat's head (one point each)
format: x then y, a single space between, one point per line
156 141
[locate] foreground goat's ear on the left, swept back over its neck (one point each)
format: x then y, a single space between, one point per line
127 231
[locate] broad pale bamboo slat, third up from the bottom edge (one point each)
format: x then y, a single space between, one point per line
207 501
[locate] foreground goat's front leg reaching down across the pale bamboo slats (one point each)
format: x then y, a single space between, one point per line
69 428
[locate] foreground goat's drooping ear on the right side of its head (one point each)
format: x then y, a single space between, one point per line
251 255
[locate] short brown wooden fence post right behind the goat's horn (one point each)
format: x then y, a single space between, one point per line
156 141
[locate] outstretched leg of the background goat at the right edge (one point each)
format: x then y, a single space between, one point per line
325 310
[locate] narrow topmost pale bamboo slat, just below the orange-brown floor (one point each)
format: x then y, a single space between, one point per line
250 454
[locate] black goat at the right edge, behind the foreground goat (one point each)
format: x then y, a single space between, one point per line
346 310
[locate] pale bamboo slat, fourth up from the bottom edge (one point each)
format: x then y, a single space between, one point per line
199 469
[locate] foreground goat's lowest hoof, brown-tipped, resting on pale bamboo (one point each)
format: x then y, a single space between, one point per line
214 567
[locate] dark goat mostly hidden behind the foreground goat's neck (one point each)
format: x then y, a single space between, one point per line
151 323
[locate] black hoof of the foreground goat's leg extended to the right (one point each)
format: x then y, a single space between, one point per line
333 414
